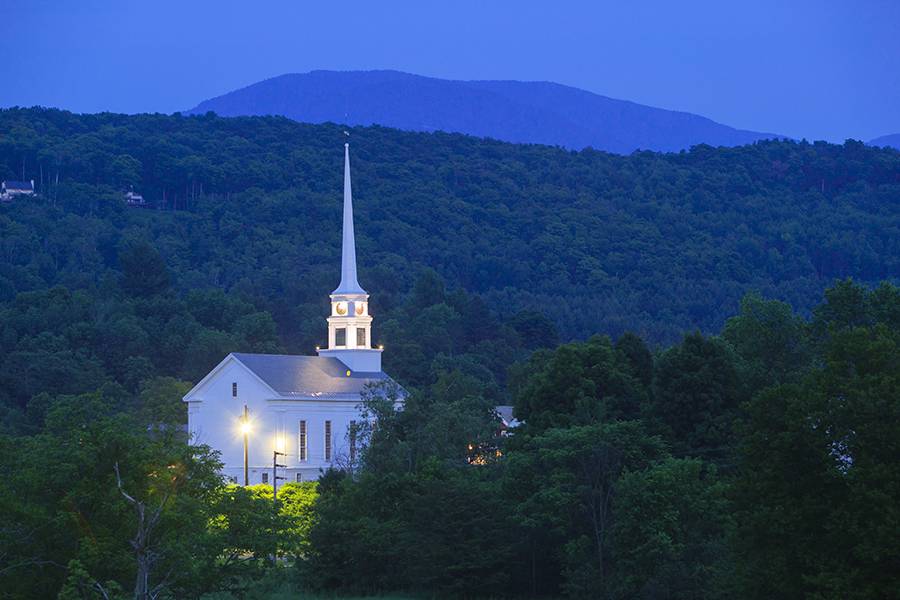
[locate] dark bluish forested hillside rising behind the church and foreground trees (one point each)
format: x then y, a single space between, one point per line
655 243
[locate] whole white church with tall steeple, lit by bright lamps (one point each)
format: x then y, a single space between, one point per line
304 407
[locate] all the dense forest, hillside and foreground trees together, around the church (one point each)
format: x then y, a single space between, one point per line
710 405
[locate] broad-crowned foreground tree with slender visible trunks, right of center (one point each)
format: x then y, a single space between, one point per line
564 482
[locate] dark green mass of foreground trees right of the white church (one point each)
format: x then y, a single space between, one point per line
758 463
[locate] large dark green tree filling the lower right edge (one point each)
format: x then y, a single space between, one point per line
819 479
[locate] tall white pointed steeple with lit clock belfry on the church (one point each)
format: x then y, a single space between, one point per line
350 324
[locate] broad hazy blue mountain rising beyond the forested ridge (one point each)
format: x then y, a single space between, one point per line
514 111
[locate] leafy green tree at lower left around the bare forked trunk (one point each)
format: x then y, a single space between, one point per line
62 491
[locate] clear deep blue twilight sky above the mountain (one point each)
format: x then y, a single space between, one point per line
820 69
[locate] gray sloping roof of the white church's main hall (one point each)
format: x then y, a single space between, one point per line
291 375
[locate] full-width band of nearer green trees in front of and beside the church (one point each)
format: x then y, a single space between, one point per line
758 463
